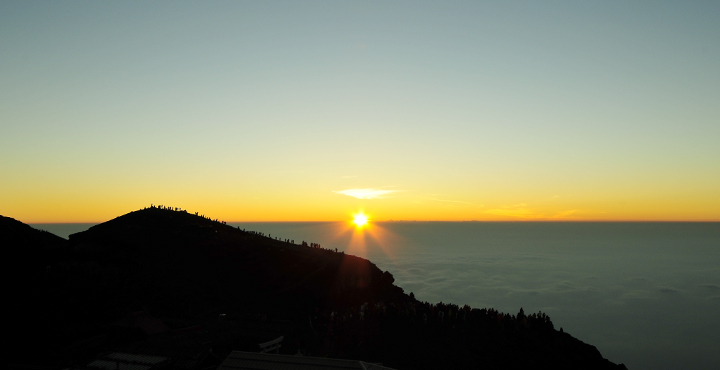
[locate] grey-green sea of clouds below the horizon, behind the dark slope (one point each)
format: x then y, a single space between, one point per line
645 294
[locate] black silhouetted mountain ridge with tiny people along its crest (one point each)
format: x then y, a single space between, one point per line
162 281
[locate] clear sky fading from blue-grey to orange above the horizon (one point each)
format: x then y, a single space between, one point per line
312 111
